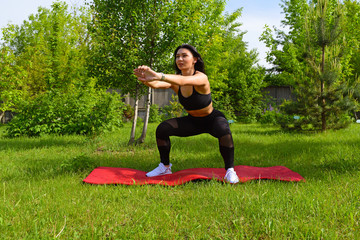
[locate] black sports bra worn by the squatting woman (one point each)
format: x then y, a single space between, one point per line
195 101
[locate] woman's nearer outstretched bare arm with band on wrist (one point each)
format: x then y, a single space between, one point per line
146 74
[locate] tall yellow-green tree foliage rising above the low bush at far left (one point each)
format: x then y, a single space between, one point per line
51 47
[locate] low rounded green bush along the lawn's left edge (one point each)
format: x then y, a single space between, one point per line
76 113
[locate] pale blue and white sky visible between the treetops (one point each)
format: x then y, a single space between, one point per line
255 14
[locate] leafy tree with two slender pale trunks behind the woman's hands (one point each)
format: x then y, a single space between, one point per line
128 34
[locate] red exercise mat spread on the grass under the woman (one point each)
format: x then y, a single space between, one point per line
127 176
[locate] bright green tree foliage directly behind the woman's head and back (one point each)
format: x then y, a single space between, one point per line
235 79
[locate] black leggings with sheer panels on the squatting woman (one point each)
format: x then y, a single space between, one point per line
214 124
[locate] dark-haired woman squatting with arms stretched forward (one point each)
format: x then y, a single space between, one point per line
193 89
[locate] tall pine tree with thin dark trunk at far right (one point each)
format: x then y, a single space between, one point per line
324 30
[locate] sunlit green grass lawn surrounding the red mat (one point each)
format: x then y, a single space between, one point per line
42 195
